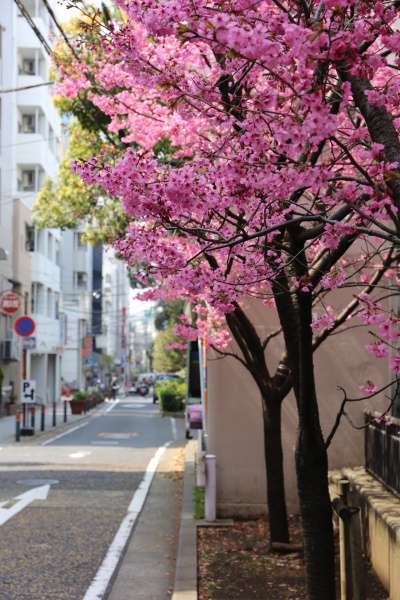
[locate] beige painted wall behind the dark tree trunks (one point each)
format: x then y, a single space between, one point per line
235 420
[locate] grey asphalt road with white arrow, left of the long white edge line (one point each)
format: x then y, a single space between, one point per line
63 499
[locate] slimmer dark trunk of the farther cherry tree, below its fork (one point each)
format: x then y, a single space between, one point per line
278 522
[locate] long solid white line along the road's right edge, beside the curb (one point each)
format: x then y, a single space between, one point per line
103 576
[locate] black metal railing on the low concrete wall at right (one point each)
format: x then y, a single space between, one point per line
382 450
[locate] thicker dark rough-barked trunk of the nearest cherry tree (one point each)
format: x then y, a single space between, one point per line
295 312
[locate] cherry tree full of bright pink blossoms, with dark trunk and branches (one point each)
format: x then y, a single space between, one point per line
283 184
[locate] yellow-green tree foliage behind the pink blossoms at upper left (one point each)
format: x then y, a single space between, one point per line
66 201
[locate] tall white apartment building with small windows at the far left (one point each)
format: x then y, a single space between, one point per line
30 148
